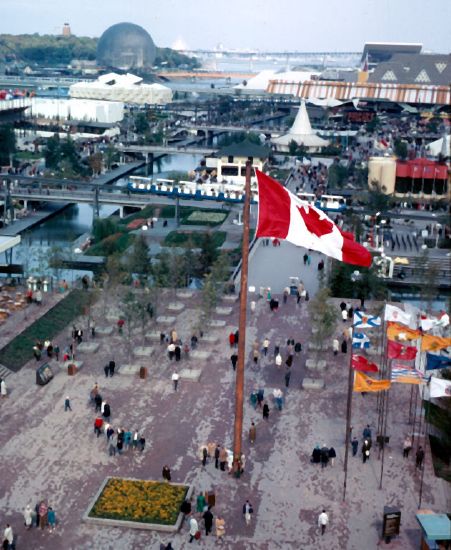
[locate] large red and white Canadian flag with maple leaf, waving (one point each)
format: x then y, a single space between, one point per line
282 215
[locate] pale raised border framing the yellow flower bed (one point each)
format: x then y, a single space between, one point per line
112 522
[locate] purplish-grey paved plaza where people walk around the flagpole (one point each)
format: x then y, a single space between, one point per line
47 453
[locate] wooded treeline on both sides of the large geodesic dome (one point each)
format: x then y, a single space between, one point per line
51 50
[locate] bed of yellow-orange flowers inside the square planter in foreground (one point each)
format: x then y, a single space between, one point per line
143 501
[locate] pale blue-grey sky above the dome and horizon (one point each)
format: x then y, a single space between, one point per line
267 25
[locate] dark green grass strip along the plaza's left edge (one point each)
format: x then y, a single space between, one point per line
20 350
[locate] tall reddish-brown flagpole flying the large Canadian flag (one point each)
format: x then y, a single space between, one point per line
239 384
